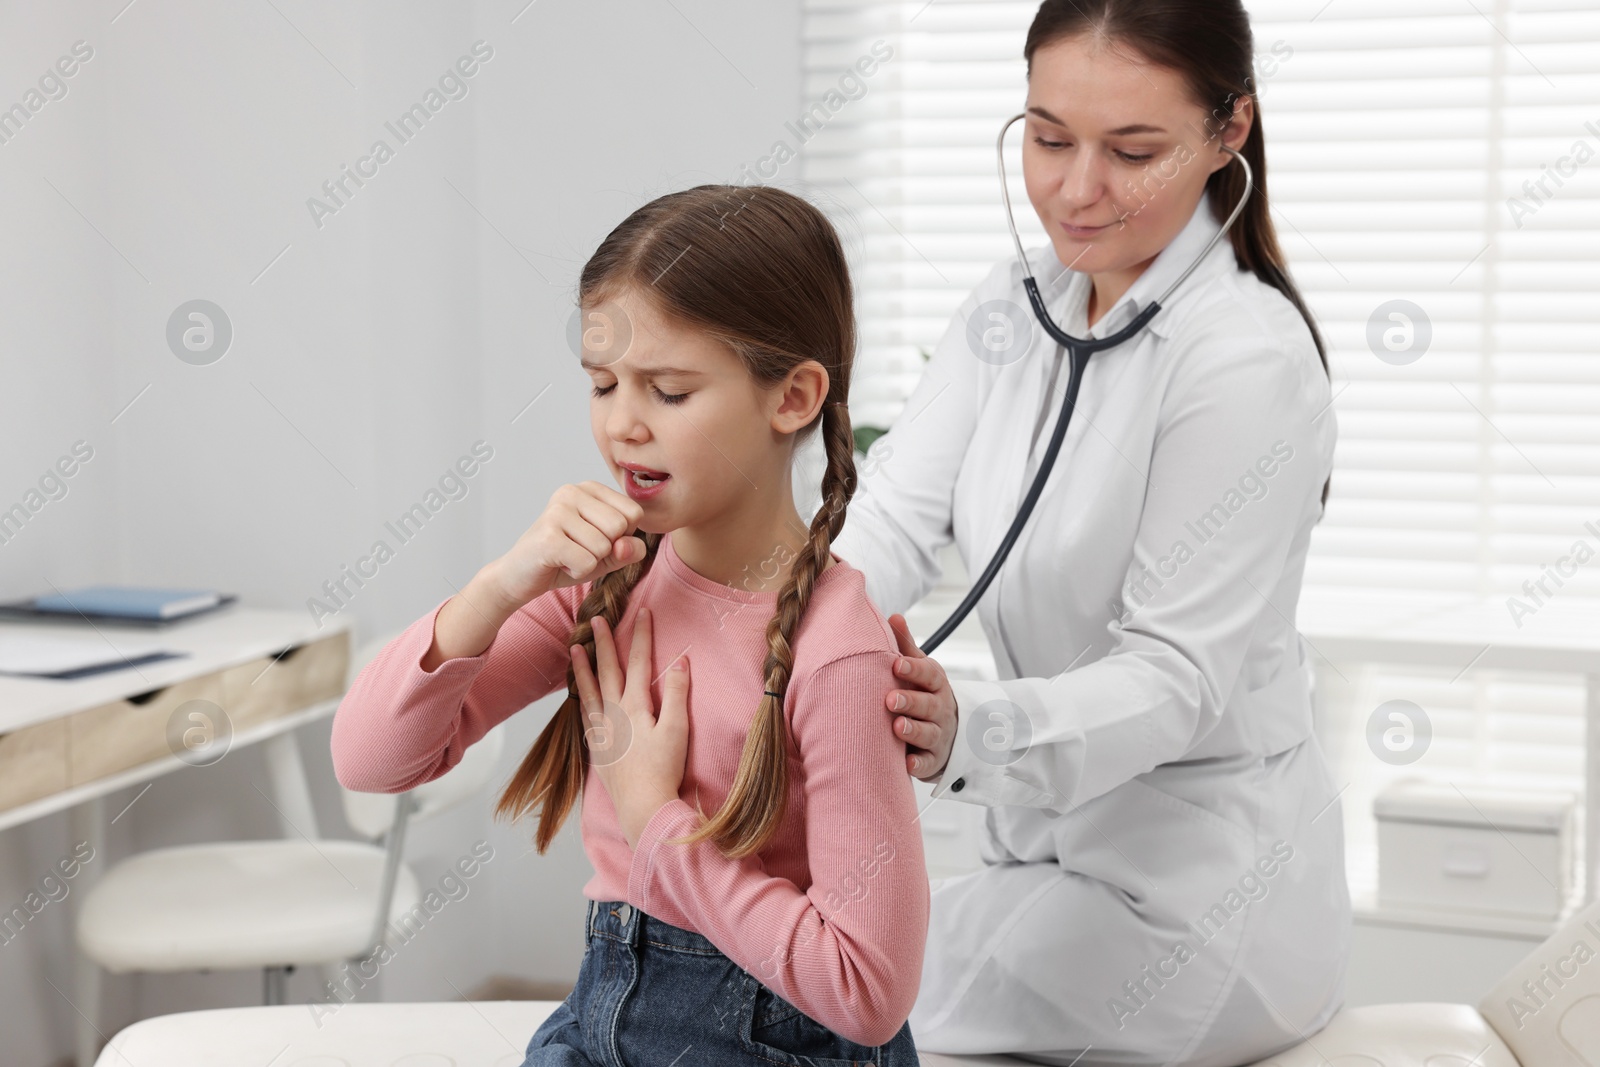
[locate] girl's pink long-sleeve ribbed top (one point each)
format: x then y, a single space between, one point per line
833 916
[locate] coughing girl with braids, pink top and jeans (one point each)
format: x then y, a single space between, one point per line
759 892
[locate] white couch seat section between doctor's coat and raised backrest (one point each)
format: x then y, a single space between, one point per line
1401 1036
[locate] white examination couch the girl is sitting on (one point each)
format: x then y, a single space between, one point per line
1546 1013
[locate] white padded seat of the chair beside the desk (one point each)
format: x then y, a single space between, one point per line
238 905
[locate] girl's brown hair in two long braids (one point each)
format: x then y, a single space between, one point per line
764 273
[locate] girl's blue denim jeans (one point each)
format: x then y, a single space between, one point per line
650 994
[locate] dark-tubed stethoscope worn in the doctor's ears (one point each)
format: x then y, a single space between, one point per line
1081 350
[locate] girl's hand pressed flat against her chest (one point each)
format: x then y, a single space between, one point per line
638 754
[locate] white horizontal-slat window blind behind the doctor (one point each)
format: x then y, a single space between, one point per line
1438 153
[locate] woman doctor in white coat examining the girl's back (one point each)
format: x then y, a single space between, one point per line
1164 874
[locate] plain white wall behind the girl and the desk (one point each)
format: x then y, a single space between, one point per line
422 318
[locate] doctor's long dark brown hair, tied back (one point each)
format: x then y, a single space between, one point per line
1210 44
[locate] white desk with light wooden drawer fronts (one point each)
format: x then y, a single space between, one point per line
257 676
